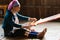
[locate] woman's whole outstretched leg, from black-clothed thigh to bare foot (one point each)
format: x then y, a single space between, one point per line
22 32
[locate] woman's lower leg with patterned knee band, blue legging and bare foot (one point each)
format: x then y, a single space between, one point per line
36 34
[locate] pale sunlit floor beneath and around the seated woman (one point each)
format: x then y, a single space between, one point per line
53 31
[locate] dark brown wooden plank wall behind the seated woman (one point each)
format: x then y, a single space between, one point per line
38 8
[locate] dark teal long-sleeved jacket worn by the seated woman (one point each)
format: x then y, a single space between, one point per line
8 23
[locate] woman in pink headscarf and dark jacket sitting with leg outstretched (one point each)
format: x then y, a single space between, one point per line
11 20
